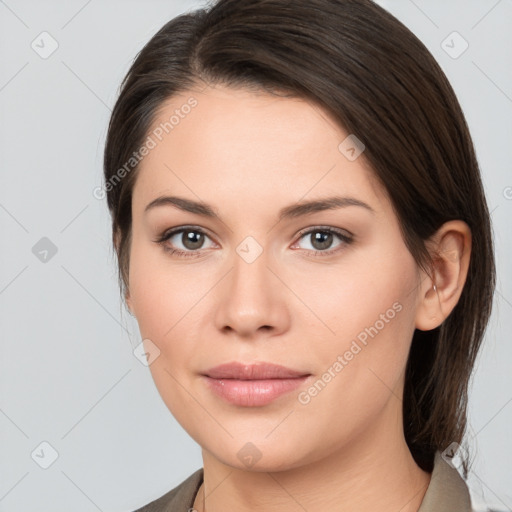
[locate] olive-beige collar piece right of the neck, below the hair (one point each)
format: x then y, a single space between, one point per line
447 491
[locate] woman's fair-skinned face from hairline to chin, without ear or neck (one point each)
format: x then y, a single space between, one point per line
329 291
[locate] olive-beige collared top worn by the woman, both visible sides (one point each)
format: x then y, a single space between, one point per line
447 492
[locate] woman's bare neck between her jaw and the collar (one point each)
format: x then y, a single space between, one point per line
375 471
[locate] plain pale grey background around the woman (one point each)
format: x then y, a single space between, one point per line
68 375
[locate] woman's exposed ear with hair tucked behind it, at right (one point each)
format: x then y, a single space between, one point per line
450 248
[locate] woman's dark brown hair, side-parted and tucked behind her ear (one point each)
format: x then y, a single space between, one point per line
375 76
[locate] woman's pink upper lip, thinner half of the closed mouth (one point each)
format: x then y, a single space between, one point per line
259 371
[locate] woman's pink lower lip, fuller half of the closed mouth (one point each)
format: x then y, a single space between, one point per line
253 393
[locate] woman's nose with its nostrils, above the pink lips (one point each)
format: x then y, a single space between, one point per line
251 300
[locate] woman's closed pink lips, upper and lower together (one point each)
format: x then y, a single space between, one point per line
252 385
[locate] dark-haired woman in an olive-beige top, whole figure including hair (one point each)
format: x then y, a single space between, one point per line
303 237
